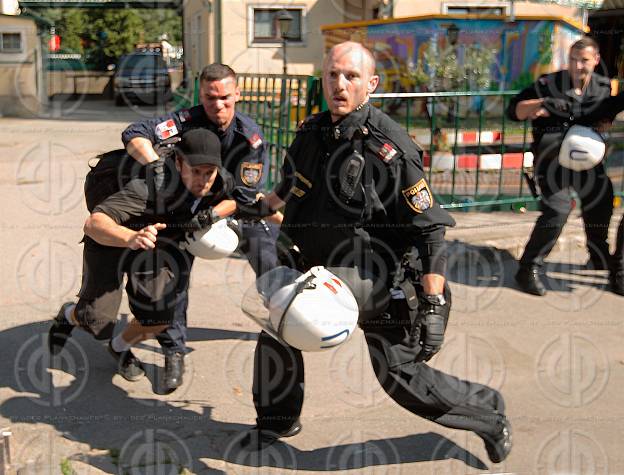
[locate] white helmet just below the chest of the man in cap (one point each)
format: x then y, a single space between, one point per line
215 242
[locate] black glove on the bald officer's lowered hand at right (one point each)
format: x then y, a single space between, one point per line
431 325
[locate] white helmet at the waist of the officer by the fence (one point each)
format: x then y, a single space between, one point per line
582 149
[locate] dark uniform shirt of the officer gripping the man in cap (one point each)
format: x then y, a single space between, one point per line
243 149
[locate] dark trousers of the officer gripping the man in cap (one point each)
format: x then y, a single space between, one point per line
258 245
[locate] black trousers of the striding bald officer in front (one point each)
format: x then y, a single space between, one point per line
278 386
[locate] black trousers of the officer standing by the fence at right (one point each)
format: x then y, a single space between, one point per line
595 191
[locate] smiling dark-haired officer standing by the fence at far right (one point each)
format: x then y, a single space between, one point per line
554 103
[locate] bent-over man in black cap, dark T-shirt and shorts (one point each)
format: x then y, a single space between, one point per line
136 231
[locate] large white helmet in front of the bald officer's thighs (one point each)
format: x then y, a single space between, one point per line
316 312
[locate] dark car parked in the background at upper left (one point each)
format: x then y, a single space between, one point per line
143 76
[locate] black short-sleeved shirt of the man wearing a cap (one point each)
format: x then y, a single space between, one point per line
137 204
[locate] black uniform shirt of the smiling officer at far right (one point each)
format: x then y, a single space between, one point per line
559 85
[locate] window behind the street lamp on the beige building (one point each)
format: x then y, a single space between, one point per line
264 26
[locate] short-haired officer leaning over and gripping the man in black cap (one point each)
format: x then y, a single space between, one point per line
244 155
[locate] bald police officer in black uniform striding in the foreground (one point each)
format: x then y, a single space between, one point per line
356 202
